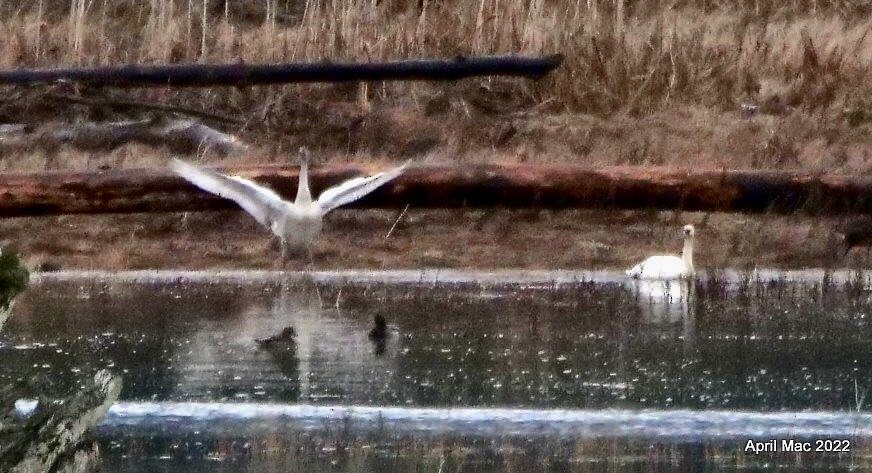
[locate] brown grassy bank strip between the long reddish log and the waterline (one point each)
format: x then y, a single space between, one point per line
479 239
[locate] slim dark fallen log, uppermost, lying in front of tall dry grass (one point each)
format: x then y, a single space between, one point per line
203 75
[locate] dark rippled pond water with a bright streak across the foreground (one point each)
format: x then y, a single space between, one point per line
565 375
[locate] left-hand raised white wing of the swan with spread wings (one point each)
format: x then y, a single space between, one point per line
262 203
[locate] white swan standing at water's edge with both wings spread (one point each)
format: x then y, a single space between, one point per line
298 223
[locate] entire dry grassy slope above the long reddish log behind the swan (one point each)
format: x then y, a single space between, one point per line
645 82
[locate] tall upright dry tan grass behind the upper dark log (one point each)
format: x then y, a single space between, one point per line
634 57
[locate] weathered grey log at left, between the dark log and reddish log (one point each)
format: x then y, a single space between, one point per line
180 136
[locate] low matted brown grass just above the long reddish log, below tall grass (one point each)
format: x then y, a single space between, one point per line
691 137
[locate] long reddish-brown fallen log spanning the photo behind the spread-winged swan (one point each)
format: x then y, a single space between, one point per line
553 187
